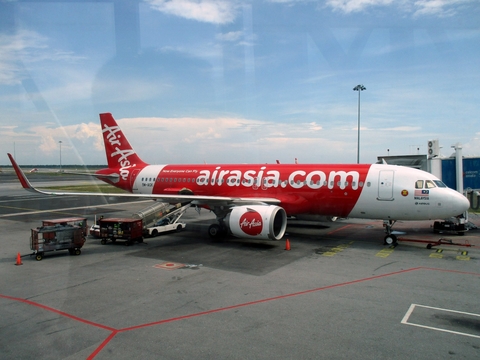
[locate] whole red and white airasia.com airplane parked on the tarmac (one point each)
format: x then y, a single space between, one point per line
253 200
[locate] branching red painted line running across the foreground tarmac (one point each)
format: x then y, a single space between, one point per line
114 332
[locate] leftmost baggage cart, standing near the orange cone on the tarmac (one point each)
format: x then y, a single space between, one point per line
57 237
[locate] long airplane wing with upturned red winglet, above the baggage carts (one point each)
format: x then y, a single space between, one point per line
173 199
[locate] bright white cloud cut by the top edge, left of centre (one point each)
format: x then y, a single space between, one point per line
209 11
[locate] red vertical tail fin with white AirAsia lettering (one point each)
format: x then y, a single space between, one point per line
120 153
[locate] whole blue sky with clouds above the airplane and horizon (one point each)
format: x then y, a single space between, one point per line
232 81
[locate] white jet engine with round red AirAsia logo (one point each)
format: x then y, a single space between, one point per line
261 222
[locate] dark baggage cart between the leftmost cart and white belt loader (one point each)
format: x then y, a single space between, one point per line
128 230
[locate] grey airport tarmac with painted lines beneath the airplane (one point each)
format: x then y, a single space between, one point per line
338 293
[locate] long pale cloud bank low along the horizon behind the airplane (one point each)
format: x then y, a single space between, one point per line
219 140
